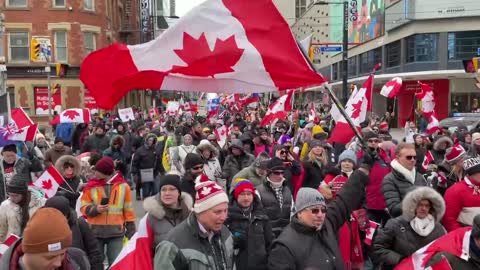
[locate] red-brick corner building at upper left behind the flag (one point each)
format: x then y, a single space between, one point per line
74 28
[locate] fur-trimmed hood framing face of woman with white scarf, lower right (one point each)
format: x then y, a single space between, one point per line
411 200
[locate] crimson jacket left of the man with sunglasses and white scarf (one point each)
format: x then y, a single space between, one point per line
381 168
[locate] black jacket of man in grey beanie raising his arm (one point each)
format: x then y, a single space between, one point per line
301 247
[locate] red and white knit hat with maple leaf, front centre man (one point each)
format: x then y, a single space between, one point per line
208 195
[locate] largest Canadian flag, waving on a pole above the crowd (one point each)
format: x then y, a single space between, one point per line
220 46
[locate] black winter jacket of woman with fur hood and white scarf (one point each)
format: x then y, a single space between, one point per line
397 240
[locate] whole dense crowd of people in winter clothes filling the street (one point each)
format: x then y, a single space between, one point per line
277 197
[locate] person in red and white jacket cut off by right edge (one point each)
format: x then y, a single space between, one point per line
463 198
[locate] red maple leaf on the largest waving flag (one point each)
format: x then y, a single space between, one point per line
202 61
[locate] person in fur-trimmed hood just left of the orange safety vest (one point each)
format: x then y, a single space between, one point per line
69 167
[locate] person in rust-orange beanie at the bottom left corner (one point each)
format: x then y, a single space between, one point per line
46 245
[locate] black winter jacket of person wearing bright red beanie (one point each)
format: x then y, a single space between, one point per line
252 236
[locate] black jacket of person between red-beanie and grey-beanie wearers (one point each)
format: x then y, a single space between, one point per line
279 217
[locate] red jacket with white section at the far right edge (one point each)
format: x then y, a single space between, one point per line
462 203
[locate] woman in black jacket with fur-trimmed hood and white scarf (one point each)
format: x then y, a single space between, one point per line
419 224
